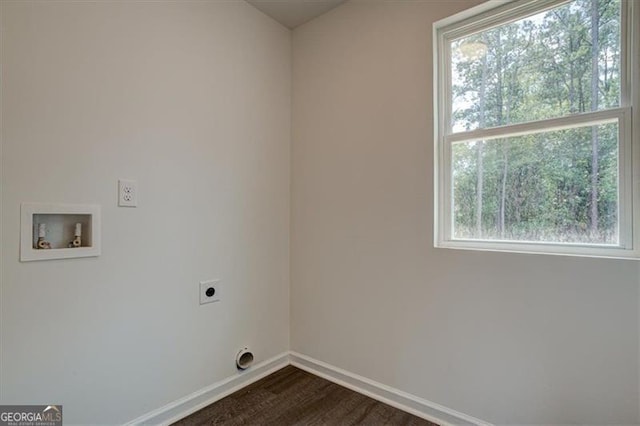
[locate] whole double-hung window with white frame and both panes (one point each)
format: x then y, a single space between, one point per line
534 128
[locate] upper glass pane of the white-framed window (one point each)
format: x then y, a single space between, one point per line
559 62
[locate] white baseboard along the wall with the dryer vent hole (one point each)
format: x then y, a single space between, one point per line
189 404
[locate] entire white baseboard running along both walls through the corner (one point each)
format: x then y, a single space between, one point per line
420 407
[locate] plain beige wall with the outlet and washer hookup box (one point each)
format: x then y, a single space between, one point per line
191 99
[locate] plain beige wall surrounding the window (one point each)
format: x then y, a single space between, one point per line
508 338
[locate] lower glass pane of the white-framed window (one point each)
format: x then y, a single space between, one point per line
538 187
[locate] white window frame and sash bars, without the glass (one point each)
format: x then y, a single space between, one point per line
494 13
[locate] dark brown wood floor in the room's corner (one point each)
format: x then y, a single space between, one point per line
294 397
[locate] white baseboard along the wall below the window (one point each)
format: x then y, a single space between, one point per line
396 398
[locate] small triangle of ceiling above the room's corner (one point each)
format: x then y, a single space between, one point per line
292 13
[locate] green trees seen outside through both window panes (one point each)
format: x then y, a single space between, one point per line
557 186
